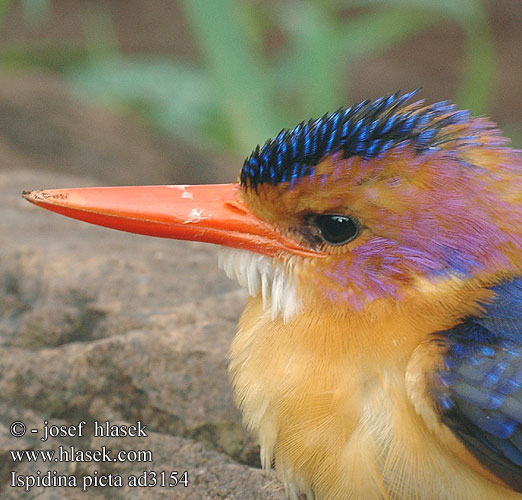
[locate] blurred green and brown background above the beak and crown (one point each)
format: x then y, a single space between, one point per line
155 91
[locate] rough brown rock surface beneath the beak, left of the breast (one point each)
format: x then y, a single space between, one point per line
101 325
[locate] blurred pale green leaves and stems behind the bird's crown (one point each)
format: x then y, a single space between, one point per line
241 93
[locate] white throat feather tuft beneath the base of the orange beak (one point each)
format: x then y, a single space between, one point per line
261 274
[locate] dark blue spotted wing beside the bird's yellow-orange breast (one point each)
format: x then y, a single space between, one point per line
479 393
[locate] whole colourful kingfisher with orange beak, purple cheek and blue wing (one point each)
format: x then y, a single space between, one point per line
379 354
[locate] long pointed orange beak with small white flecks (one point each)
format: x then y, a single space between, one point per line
211 213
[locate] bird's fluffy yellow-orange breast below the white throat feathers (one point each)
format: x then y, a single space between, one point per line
330 407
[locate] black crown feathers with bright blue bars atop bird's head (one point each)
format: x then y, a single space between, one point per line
367 129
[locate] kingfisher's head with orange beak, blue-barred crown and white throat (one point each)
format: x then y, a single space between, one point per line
366 204
